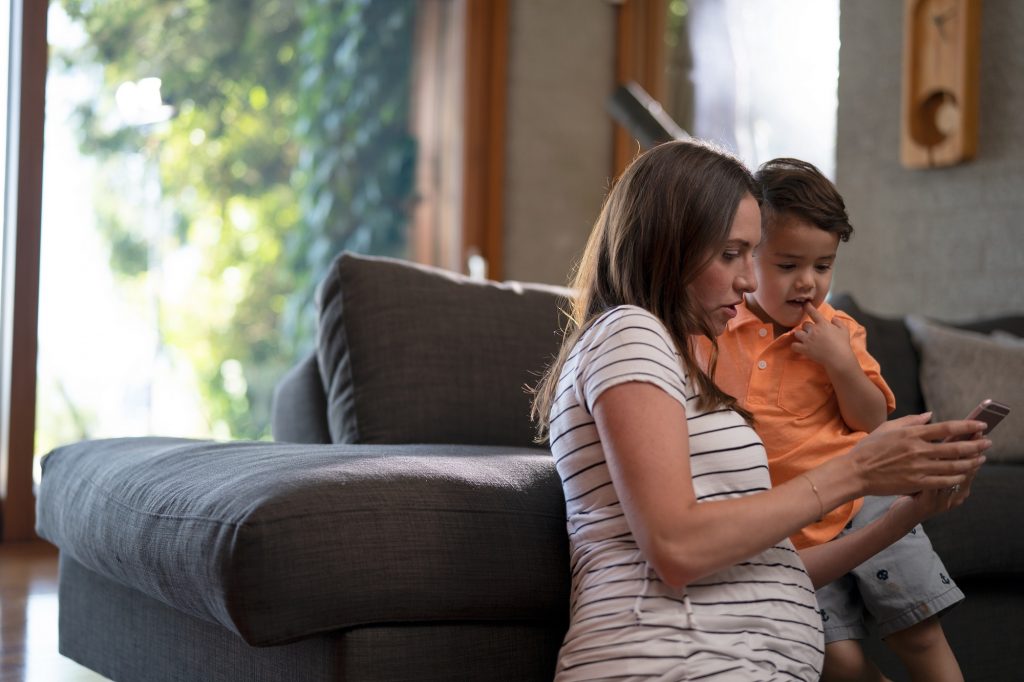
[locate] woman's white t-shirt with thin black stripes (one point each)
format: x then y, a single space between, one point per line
757 620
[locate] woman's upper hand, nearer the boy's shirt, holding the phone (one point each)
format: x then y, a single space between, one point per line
904 456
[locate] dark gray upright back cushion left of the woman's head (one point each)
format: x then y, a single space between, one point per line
411 354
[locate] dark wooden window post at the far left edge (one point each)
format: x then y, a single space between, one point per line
25 136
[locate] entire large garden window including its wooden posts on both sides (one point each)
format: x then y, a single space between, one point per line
168 115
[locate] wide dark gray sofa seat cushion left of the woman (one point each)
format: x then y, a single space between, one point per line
279 541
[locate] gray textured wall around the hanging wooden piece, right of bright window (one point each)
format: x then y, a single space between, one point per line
946 243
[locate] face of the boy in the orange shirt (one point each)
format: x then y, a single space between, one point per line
794 266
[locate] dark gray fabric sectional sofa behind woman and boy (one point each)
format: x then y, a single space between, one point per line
403 526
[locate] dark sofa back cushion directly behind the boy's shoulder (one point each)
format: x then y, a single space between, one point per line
889 343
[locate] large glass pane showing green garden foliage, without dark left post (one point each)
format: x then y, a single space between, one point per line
205 162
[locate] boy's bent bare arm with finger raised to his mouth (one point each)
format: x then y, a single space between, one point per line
862 403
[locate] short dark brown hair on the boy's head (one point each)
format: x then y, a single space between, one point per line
791 188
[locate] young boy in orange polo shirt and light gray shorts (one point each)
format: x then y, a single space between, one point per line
803 370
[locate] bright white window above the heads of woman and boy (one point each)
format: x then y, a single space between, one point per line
759 78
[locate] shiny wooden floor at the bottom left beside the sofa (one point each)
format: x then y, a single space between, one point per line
29 618
